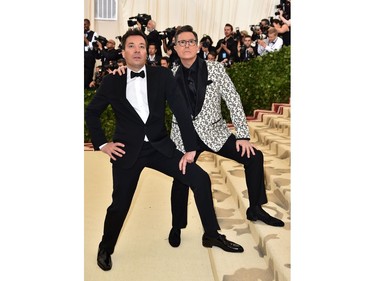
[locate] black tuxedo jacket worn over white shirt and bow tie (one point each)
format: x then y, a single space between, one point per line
130 129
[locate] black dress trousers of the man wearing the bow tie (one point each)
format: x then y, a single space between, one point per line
125 183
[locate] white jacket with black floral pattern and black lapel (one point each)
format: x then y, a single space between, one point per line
214 84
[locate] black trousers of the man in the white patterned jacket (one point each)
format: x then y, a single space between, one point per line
254 175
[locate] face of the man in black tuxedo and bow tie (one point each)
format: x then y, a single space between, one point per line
135 52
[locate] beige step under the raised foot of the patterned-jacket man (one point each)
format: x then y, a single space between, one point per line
273 242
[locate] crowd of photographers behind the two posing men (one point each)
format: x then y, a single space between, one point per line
270 35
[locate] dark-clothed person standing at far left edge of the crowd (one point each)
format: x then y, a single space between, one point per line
89 58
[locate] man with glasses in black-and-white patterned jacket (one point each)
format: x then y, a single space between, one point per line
204 84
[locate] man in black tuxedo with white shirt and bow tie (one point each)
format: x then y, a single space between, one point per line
141 140
